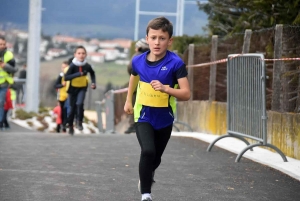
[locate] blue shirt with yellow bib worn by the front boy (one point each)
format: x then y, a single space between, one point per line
152 106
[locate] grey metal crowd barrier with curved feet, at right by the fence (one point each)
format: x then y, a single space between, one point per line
246 102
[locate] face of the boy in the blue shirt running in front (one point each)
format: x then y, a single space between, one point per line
159 42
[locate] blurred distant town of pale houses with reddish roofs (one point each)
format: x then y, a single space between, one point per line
52 47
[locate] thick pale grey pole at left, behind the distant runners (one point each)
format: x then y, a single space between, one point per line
33 56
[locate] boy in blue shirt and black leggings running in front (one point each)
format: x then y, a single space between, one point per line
160 76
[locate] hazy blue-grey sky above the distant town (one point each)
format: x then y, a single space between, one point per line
115 18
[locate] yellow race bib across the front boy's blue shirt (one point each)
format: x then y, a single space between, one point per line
149 97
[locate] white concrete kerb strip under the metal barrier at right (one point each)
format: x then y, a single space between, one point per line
259 155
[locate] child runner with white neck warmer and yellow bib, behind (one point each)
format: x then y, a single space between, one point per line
76 73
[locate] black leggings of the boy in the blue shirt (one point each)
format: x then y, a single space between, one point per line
153 143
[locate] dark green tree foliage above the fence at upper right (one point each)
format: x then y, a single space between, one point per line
226 17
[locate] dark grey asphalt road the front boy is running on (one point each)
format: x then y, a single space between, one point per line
58 167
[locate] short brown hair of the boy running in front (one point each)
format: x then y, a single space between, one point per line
160 23
